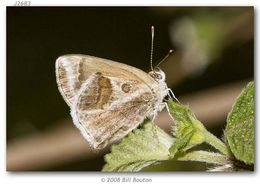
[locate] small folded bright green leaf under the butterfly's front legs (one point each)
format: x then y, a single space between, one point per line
188 131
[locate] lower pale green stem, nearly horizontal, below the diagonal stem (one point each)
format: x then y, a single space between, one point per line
204 156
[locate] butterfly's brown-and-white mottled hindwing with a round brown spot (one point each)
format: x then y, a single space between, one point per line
108 108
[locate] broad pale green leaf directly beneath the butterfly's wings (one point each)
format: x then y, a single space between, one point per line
141 148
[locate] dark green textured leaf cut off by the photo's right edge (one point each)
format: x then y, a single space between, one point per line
239 132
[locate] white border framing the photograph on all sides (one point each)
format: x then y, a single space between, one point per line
87 178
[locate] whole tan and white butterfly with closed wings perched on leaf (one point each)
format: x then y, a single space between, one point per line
108 99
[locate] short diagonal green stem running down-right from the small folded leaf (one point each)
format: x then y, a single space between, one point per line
216 143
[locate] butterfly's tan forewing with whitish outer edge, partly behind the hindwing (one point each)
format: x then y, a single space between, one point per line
73 70
